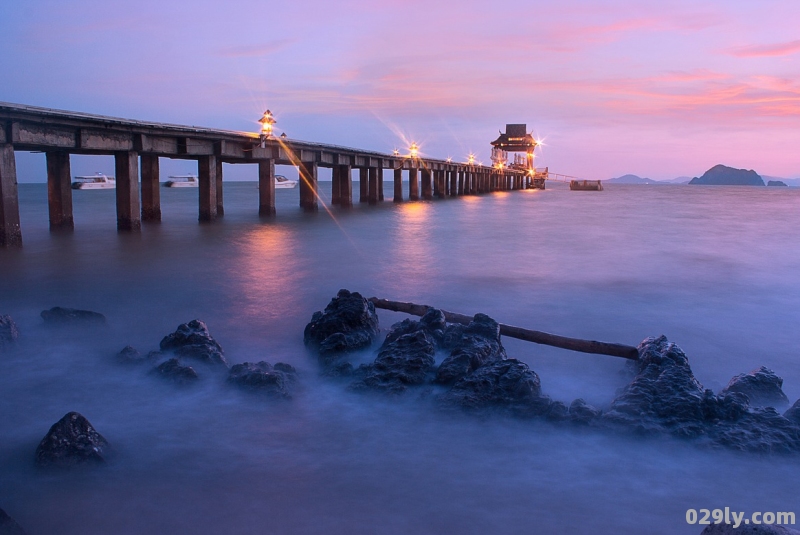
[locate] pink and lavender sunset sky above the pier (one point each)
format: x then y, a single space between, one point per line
657 89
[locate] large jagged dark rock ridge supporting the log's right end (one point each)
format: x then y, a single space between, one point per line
664 396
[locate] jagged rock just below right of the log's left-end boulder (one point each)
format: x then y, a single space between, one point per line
407 360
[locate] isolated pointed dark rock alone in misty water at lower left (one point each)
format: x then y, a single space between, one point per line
72 440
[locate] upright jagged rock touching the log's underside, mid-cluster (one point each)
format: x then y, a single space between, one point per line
479 345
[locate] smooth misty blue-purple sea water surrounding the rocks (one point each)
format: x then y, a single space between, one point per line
715 269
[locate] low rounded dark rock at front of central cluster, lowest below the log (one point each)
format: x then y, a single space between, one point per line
503 384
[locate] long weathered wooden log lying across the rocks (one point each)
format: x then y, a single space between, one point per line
538 337
